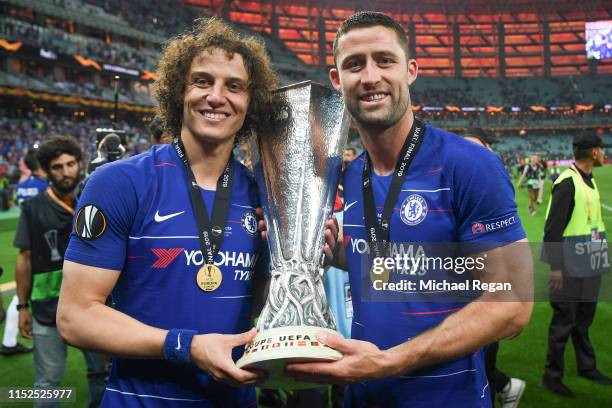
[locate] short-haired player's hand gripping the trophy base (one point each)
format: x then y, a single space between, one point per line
361 361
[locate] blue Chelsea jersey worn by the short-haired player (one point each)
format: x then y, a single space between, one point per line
454 191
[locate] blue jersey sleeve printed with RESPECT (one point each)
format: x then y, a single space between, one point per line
484 204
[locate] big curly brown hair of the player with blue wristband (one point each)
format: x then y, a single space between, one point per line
208 33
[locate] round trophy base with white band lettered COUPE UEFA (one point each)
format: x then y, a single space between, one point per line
272 349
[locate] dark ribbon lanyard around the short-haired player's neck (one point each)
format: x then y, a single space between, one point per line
378 233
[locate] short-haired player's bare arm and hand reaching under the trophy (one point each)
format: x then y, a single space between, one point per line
492 317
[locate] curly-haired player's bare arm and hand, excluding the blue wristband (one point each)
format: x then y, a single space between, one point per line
85 321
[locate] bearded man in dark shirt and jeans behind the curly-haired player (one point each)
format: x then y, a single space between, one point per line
42 236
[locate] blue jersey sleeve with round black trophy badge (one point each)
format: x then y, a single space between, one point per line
103 219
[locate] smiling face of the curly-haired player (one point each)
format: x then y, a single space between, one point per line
216 97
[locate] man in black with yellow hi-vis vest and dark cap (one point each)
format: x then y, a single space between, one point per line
574 218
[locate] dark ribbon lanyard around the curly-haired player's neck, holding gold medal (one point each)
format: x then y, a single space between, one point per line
210 231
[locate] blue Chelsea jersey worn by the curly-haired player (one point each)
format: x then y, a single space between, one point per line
149 234
